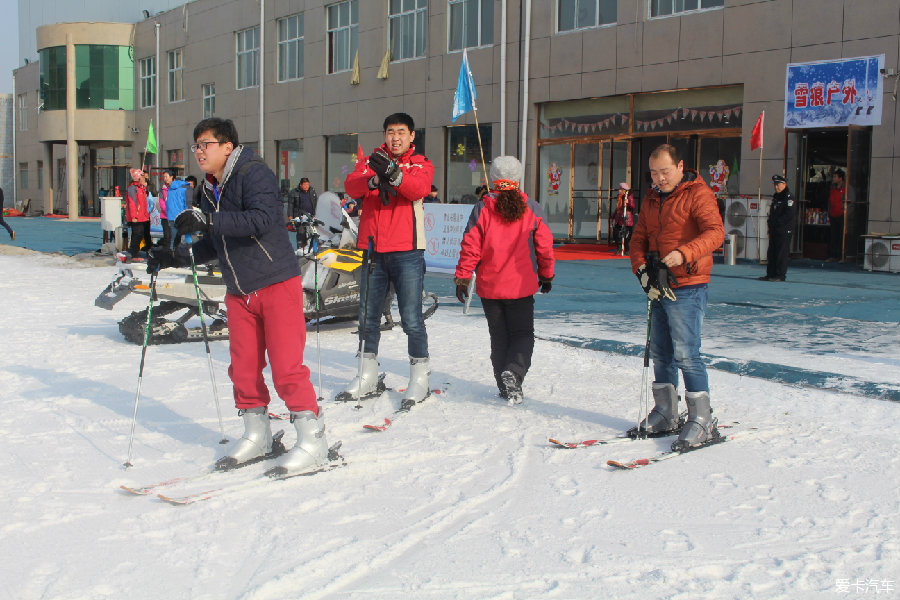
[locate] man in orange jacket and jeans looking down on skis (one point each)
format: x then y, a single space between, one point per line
680 224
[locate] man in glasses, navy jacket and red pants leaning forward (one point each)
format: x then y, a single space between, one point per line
240 217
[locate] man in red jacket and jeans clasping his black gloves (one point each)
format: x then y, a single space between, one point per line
391 184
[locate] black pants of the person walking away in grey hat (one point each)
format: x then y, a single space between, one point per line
511 326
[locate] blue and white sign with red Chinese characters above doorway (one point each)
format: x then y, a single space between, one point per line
834 93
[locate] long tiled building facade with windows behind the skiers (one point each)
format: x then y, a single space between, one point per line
582 90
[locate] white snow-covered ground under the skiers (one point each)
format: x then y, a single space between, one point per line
463 498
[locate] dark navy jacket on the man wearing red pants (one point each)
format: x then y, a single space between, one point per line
248 234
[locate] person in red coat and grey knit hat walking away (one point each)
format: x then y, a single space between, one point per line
507 239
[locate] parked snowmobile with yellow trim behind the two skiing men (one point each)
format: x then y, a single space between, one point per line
330 268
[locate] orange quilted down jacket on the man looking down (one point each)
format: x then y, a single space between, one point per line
688 221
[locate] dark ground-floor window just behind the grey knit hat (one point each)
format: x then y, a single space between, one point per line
463 168
